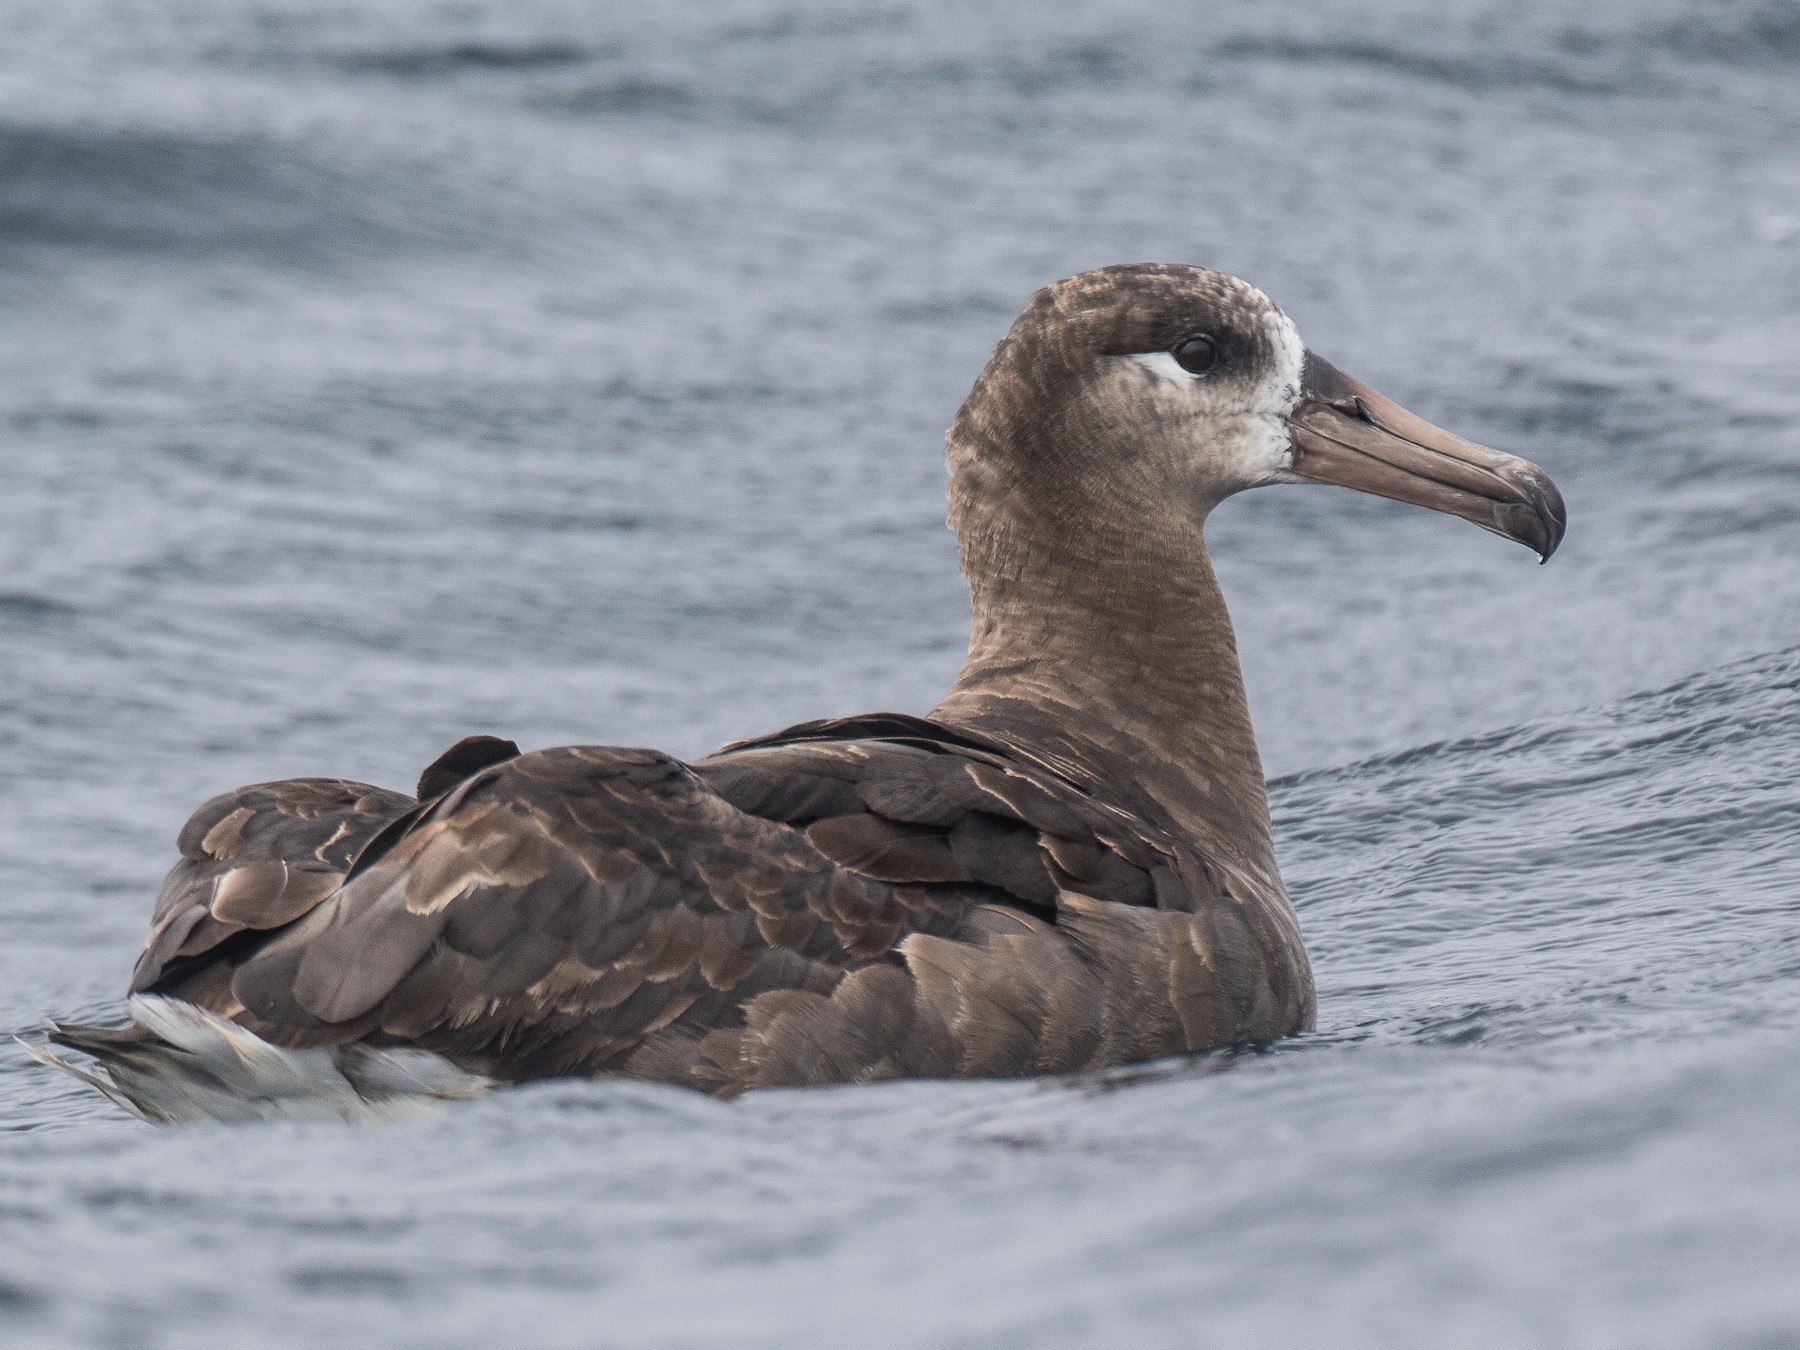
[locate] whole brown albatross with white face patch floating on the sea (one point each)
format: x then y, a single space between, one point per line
1065 865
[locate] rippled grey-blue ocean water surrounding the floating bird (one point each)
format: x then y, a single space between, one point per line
372 375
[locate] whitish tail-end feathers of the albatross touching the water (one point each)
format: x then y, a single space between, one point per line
199 1068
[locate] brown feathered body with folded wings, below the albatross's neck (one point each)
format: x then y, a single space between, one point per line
793 912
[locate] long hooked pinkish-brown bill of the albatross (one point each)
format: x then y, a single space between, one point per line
1345 433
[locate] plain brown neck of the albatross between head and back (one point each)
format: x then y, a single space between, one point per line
1108 652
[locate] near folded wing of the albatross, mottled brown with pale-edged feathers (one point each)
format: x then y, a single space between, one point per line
607 888
